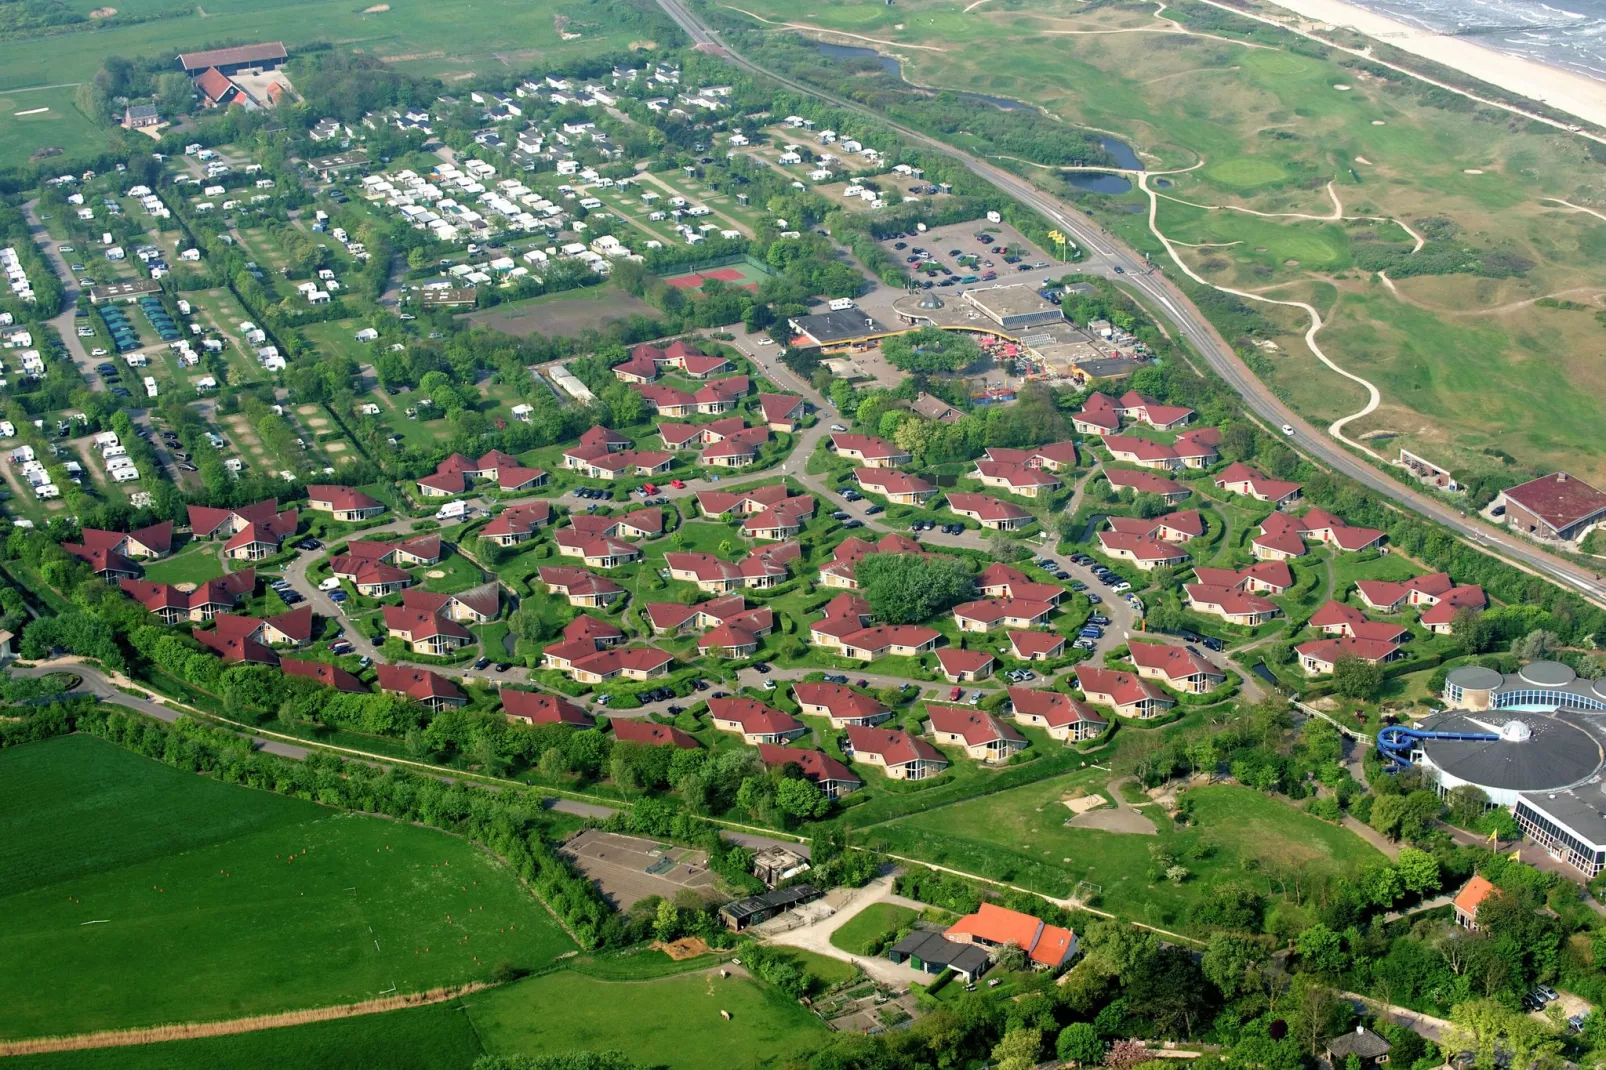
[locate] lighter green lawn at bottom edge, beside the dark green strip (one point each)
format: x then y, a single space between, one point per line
672 1023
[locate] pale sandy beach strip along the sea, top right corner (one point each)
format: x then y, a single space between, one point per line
1573 94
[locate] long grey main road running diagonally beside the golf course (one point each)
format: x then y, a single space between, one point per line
1111 258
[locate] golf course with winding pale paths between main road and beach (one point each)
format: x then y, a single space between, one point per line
1297 178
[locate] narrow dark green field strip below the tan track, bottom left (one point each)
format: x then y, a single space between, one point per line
420 1039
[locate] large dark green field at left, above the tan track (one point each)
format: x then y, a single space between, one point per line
214 902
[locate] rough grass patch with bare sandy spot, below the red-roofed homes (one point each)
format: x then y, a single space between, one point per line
1021 836
